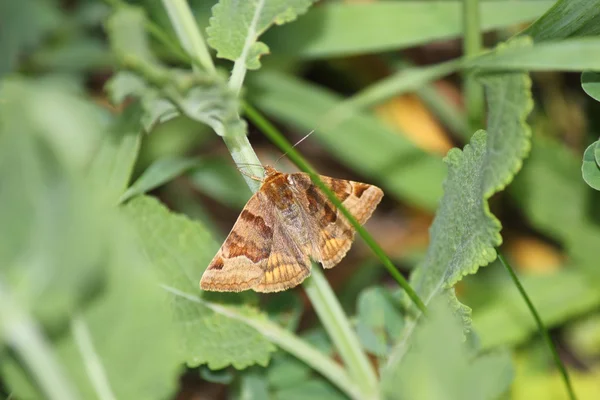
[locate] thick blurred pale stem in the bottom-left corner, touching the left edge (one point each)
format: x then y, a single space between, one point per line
23 335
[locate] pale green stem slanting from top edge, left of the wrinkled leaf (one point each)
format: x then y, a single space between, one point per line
188 32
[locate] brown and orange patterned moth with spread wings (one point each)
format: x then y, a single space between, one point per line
285 224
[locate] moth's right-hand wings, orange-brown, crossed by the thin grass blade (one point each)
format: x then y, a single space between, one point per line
333 234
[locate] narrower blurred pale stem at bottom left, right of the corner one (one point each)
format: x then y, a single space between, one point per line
91 360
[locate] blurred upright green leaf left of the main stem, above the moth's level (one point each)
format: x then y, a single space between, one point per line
113 162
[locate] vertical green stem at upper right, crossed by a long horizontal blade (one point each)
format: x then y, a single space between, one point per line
473 90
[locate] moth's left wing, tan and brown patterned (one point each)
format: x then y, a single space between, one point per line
241 261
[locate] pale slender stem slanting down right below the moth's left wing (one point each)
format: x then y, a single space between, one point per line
287 341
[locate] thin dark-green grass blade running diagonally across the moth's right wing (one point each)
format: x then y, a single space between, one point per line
273 134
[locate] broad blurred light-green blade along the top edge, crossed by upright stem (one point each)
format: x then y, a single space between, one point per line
331 30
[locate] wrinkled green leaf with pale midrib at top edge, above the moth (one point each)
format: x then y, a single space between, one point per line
236 25
